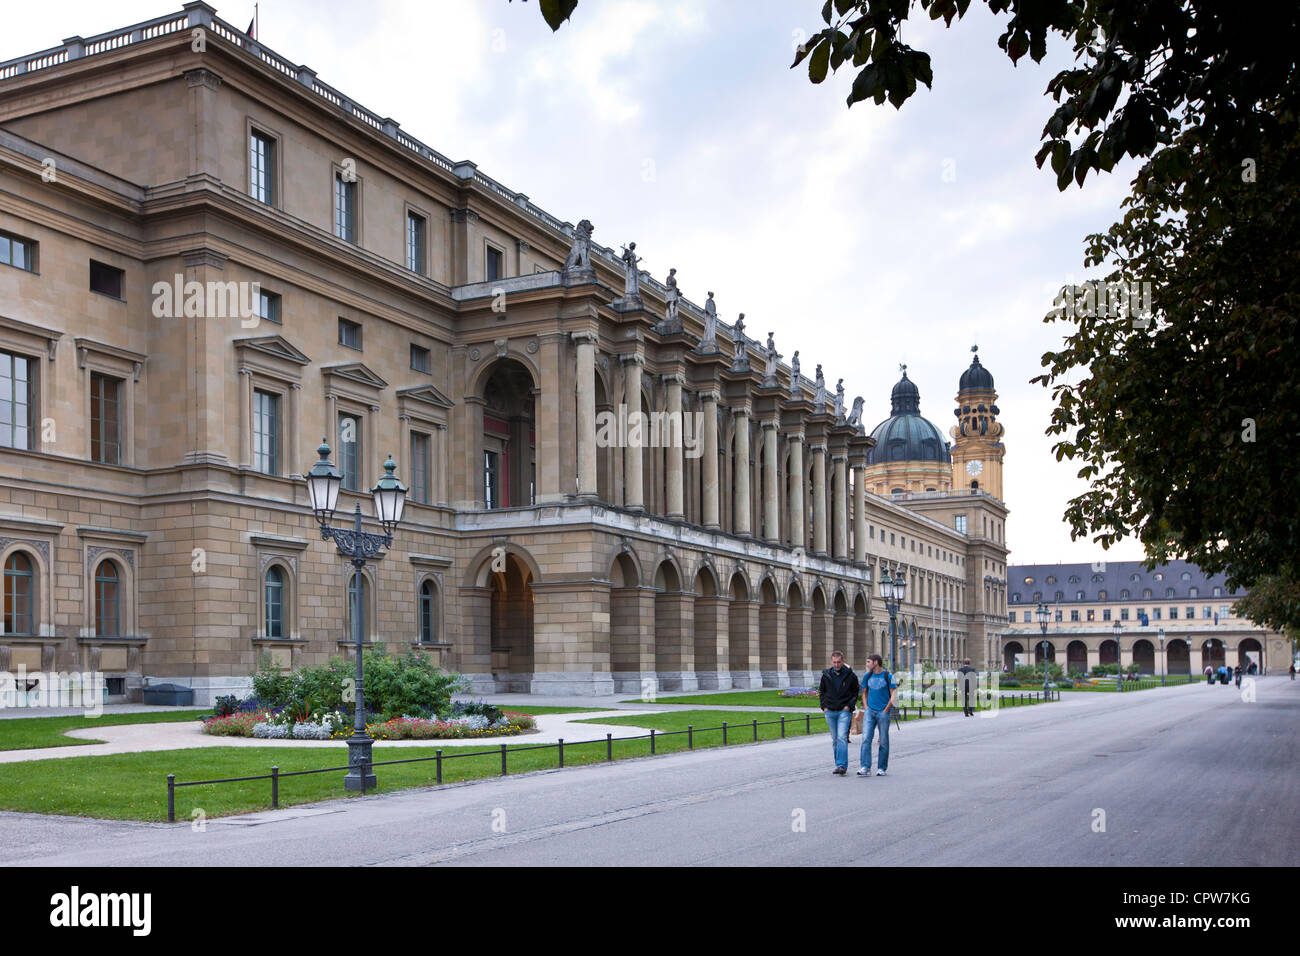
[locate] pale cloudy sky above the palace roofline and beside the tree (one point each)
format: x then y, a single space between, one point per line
864 237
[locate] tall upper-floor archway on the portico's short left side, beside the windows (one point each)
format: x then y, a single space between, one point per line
509 469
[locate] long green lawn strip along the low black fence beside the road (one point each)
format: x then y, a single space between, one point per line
133 786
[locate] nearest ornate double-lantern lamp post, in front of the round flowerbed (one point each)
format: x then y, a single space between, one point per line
389 495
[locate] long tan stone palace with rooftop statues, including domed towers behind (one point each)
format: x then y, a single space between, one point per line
210 259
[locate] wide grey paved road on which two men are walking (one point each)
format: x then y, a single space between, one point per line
1190 776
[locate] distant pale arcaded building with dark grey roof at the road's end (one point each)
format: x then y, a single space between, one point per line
1173 620
